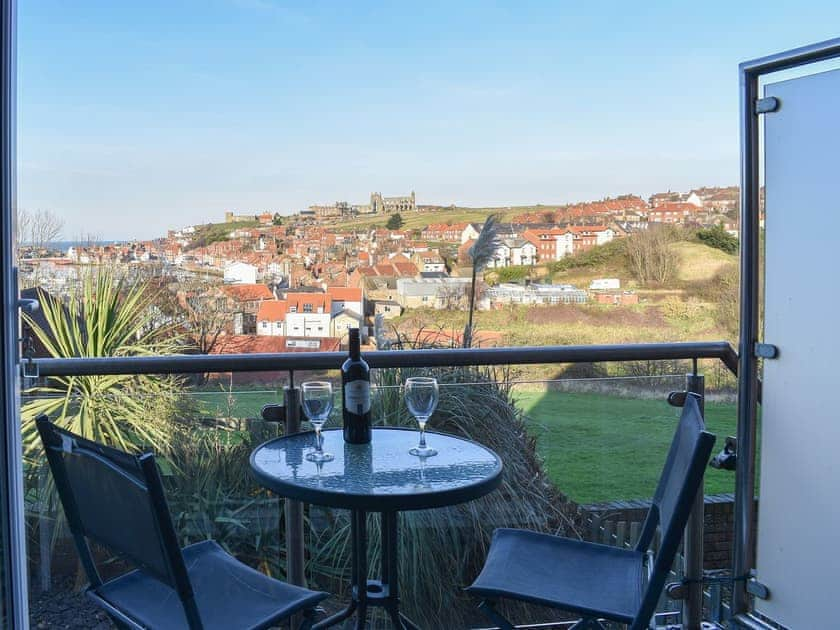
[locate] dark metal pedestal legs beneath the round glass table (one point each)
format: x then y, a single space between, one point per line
384 592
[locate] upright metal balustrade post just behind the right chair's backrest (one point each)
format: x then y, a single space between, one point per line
693 545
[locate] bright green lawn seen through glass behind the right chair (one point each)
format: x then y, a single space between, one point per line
601 448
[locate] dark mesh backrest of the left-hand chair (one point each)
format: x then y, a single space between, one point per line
117 500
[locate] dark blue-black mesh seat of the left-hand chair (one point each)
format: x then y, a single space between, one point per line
228 593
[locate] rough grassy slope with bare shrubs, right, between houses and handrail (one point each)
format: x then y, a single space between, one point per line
690 308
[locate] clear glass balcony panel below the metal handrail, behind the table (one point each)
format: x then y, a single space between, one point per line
583 447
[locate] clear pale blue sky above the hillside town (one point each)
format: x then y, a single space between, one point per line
135 117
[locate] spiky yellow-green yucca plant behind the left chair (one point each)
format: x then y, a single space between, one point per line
106 316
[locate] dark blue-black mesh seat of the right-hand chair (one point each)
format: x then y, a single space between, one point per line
589 579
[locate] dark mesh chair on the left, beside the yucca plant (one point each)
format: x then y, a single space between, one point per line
117 500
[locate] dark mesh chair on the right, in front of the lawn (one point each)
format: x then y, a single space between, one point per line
599 581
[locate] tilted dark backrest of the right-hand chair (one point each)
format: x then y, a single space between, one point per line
678 486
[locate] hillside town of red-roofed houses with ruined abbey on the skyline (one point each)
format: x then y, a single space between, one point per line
273 283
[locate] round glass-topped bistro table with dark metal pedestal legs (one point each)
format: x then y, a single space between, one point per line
378 477
